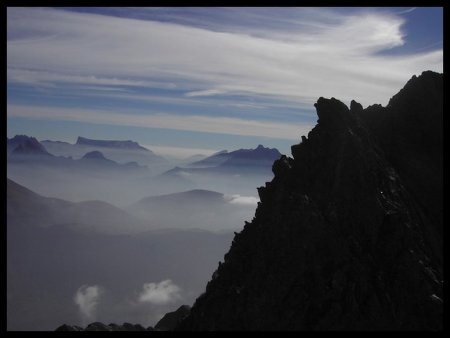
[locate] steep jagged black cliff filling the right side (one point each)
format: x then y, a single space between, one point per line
347 235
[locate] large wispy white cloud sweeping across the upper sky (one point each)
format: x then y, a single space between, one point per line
331 54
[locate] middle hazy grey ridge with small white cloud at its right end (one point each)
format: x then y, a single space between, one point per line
195 209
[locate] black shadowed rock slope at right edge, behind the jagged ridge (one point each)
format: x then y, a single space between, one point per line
410 132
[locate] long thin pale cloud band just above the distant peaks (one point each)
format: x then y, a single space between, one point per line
206 124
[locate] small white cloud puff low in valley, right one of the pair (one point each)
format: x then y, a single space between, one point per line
164 292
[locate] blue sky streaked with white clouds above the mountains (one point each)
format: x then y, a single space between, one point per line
185 81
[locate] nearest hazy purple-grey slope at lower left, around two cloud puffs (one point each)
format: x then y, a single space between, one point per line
61 246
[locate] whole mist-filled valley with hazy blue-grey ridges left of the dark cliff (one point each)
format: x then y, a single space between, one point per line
94 233
